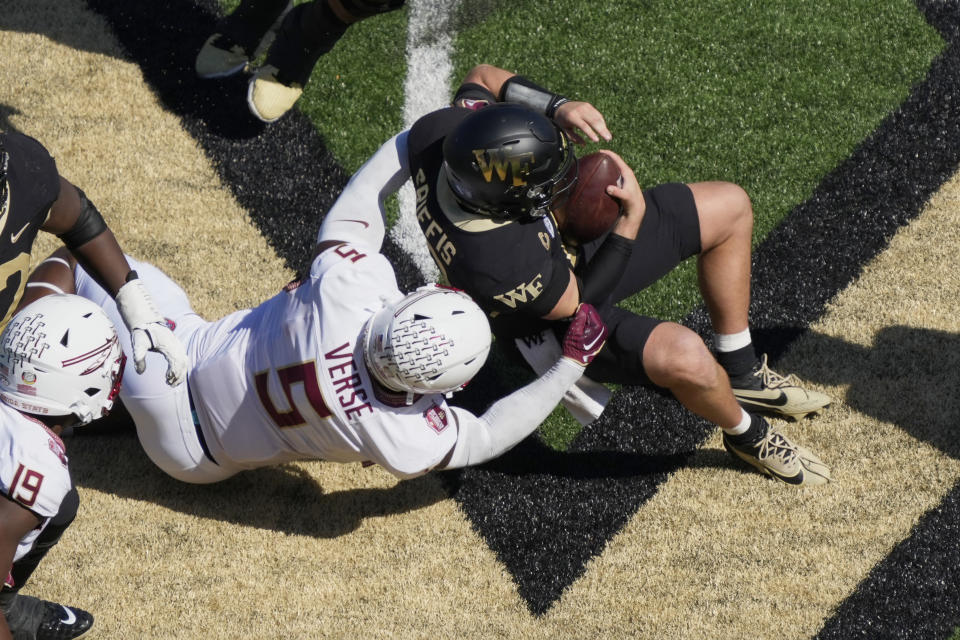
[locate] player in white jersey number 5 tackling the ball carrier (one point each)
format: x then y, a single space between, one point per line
339 366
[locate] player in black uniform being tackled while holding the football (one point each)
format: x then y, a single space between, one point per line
489 174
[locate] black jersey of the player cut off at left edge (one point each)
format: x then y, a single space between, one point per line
33 185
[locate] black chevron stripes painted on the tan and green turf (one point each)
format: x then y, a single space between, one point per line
546 514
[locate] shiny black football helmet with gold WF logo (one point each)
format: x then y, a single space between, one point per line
506 161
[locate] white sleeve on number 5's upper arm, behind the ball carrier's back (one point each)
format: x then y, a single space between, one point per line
358 216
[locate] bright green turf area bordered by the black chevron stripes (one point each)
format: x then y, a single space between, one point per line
671 81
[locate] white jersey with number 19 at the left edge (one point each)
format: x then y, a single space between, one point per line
33 470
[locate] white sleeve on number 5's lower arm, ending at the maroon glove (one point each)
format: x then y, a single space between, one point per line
513 418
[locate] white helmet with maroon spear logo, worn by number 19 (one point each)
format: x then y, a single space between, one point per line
60 355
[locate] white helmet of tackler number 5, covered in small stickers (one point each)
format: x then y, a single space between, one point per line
433 340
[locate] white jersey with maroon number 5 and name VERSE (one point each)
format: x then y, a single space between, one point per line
287 380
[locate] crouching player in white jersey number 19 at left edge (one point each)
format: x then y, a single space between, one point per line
60 366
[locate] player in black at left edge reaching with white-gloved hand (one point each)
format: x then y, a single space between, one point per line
34 197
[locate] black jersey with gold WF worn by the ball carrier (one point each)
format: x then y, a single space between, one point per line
516 271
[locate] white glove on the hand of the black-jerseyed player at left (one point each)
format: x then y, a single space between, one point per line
149 331
